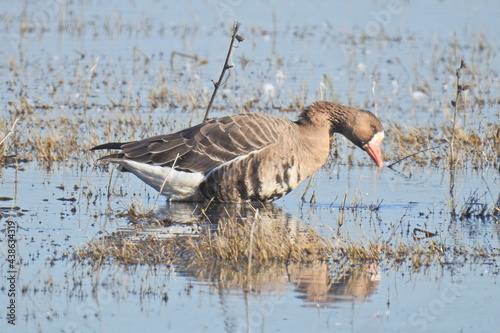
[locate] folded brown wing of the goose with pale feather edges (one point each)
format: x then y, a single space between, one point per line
206 146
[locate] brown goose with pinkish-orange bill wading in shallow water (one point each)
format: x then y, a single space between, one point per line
246 157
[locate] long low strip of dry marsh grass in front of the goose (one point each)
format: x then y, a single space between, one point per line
261 240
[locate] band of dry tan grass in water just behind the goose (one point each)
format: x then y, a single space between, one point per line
64 139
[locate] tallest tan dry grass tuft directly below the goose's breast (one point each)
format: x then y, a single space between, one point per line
262 240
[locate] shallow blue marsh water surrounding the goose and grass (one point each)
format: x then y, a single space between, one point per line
303 51
